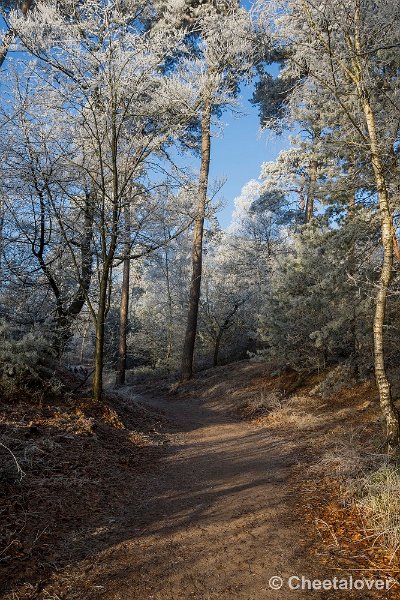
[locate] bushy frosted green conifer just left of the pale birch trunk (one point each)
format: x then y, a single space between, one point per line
319 302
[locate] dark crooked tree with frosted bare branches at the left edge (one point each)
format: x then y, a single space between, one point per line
45 197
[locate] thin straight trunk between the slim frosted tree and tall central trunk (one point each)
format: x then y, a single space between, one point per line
124 306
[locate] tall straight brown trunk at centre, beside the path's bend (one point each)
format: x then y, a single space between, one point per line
197 250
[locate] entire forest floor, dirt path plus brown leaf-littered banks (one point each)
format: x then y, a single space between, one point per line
172 496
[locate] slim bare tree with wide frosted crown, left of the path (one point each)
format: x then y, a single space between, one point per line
122 106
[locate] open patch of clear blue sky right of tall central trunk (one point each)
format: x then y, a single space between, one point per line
239 152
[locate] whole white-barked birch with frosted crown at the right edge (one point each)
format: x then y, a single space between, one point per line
349 50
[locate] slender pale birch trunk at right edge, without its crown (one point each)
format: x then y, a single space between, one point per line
388 407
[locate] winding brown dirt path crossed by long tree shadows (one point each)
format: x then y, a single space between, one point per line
217 519
